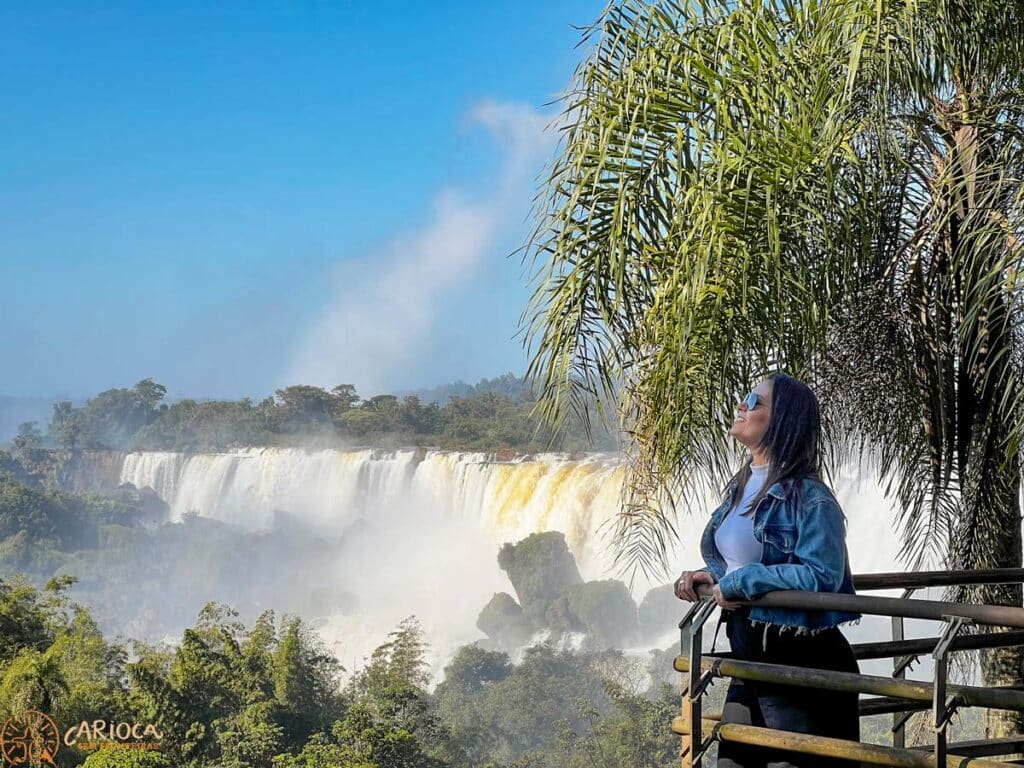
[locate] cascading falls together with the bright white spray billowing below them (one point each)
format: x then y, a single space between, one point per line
435 522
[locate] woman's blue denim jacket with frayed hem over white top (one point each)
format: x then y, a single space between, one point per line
803 533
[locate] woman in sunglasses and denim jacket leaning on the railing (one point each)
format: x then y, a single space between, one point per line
780 529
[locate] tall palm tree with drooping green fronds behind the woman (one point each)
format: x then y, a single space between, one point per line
833 187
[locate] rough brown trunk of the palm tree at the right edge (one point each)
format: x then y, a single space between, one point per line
988 395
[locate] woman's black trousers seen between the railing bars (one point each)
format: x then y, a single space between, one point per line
783 707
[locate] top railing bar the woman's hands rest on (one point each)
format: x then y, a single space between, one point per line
936 611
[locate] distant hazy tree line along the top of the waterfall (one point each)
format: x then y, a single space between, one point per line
496 414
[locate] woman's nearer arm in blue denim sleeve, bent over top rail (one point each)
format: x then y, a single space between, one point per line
821 550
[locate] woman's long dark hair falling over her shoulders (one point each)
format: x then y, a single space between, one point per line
793 439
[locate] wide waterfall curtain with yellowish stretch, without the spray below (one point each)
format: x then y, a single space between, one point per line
506 500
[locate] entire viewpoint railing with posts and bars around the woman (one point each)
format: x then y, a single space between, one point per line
894 695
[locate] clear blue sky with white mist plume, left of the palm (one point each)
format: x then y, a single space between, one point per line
233 197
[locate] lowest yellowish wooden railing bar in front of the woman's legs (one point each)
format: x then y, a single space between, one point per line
827 747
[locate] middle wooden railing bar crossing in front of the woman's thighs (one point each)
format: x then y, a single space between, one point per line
804 677
